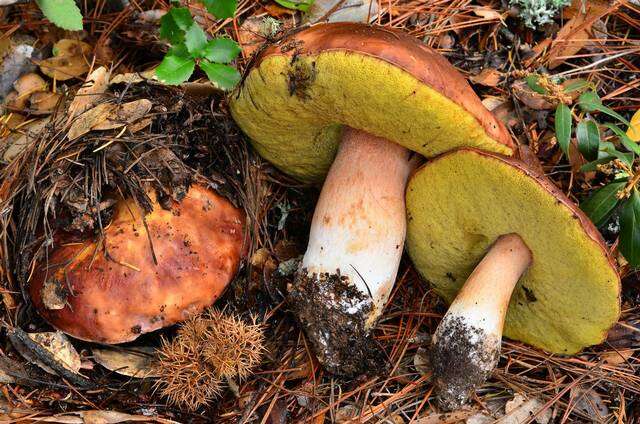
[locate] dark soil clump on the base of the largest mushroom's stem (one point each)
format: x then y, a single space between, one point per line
333 313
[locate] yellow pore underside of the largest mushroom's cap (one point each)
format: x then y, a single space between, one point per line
293 111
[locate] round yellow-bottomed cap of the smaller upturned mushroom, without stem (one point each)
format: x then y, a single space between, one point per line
461 202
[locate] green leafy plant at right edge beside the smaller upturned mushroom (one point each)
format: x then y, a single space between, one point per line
616 155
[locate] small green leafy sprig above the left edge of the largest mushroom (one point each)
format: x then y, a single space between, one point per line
190 47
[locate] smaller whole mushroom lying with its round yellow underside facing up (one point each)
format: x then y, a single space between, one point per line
532 261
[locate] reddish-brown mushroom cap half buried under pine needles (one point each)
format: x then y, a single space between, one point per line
145 273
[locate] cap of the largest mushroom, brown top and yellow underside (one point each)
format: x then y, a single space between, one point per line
302 89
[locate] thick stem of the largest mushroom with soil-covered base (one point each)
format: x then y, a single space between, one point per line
355 245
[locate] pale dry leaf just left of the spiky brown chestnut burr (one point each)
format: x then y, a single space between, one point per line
132 362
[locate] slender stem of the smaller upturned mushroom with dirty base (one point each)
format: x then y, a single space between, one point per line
466 344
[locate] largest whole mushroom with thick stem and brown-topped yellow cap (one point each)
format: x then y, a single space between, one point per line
350 102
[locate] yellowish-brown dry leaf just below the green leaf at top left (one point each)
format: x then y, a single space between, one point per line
70 60
